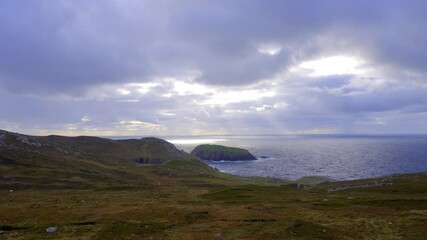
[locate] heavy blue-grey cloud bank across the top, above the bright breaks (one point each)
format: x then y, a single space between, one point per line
68 45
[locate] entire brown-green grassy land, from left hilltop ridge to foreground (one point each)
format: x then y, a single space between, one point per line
92 188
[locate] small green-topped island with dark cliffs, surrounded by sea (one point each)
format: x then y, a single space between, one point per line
221 153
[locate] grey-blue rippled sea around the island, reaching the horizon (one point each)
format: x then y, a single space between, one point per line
340 157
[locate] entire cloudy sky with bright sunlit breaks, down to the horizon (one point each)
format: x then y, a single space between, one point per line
202 67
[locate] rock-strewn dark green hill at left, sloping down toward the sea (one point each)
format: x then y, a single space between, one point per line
85 162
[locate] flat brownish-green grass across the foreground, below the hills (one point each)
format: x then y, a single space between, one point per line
181 211
